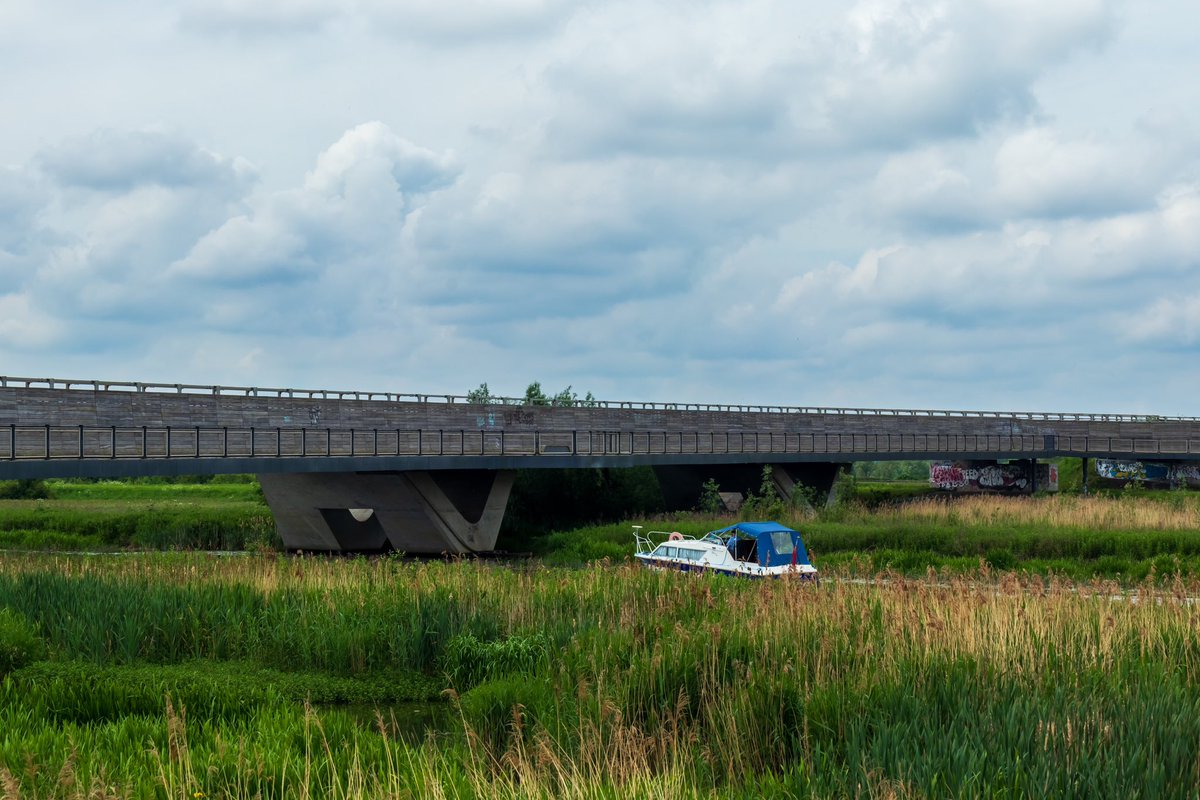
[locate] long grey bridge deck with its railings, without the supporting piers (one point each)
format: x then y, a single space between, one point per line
59 428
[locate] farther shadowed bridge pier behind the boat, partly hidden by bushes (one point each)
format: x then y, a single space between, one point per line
682 484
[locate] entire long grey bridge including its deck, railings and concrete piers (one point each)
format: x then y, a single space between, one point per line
351 471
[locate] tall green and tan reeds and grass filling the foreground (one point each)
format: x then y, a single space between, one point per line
187 676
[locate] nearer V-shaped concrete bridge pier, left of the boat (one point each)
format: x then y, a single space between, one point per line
446 512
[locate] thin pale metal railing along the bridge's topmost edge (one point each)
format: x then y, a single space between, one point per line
411 398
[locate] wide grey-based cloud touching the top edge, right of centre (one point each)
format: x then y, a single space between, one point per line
777 81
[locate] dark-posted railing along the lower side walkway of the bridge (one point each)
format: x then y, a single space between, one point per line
87 443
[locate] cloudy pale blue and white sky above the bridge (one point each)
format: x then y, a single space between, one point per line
962 204
